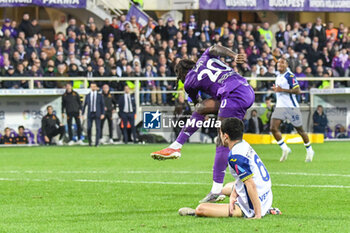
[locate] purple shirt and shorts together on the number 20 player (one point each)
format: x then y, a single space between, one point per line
221 82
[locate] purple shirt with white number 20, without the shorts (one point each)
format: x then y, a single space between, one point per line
213 77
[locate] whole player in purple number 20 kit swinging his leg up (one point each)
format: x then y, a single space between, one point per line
231 97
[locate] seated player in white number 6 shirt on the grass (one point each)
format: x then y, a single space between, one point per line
251 194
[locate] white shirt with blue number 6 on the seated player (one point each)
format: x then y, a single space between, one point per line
244 164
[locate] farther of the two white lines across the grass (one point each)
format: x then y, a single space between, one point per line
163 172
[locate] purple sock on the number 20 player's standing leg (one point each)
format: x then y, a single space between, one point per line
220 164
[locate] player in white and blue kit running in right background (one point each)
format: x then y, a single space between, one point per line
287 107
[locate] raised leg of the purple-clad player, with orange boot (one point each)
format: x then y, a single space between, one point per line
208 106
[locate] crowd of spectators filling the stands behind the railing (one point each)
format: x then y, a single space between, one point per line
123 48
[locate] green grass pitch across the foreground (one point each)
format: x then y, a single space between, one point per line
121 189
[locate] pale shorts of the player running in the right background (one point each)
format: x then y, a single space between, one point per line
293 115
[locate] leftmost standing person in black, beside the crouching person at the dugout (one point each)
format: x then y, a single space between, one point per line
71 105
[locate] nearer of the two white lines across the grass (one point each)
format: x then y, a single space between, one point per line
161 182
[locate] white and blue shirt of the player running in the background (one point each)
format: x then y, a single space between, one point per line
284 99
